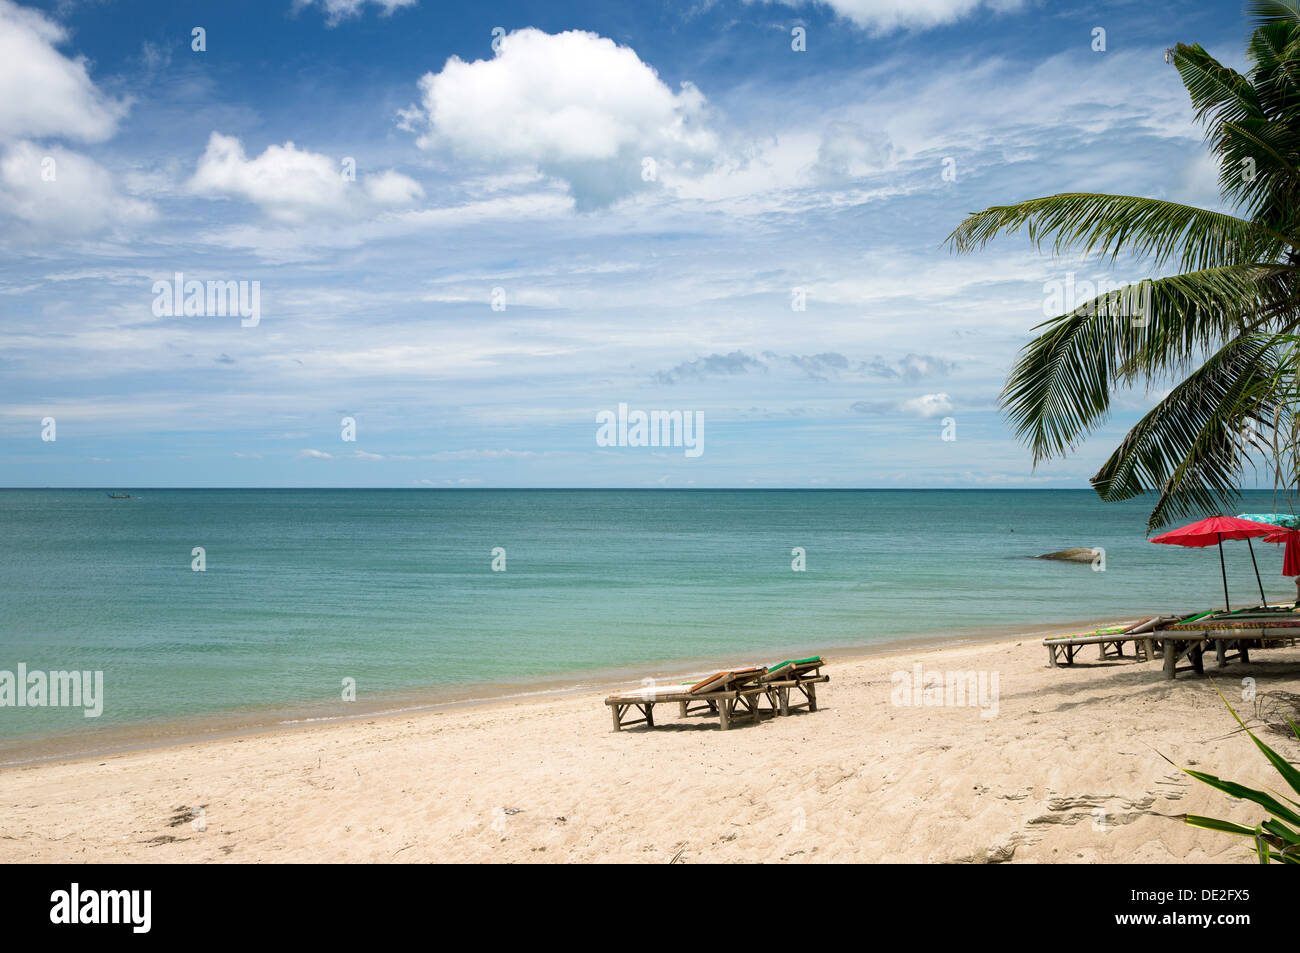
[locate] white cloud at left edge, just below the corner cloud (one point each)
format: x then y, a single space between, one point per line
80 197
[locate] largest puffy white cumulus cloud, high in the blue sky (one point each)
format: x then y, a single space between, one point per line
577 106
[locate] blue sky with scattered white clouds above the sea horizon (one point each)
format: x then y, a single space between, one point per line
465 232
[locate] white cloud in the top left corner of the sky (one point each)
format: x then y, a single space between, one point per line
42 92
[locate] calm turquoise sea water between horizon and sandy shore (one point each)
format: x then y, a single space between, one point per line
396 588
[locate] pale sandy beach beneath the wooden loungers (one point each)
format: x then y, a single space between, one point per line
1067 768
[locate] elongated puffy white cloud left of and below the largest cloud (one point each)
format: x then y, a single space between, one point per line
293 185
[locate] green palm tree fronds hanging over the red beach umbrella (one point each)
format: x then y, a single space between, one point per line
1225 328
